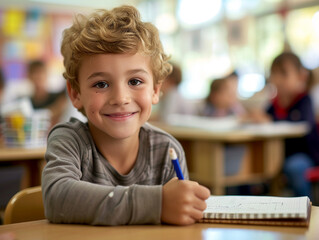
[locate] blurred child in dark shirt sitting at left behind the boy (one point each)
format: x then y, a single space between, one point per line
42 98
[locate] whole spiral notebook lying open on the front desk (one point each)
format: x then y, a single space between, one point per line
258 210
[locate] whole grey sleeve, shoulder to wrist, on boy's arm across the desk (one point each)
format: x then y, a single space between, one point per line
68 199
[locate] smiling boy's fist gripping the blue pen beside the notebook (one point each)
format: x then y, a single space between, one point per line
183 202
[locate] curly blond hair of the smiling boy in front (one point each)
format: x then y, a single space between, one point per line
116 31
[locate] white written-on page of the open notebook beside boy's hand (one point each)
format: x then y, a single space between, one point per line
256 207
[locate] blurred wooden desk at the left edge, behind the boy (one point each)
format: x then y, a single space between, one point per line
31 159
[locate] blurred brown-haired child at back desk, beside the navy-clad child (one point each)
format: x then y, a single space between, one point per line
222 100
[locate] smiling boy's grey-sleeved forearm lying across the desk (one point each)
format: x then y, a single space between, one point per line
71 201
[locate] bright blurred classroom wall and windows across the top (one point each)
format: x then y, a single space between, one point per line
209 39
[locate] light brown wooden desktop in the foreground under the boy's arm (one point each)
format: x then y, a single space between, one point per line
44 230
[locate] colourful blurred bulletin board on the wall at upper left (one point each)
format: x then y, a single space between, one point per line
29 34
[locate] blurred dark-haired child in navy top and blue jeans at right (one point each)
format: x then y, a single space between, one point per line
293 104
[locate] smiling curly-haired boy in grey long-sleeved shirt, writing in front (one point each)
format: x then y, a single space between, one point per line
110 171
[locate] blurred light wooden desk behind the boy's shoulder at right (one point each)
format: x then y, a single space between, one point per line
204 151
